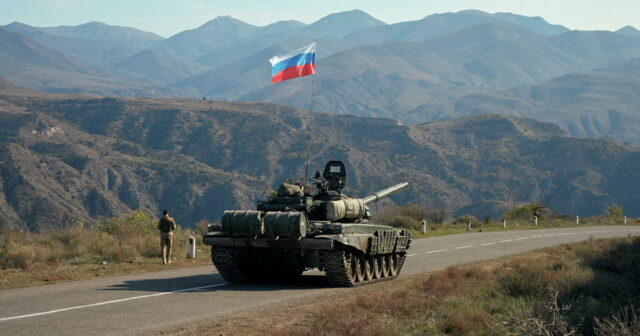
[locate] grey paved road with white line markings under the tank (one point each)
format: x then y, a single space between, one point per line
145 302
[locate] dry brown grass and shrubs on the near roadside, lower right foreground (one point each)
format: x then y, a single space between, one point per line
505 297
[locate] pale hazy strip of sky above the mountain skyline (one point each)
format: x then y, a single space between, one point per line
167 17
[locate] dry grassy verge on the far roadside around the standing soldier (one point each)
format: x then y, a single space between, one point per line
122 245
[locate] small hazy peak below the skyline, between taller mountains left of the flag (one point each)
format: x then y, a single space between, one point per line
163 68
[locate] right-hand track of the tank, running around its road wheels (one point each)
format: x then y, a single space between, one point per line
337 265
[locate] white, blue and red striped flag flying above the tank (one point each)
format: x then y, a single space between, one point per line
301 62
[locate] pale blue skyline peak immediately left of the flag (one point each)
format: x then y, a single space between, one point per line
194 43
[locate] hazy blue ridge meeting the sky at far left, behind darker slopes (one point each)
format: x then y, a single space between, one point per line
94 42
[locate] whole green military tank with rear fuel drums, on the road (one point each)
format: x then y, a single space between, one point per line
298 229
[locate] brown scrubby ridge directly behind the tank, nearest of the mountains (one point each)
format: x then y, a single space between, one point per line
67 158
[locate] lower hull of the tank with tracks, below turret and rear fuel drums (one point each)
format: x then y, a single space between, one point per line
349 254
